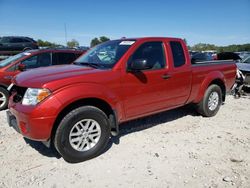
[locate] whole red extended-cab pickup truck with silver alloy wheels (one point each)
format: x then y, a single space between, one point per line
78 107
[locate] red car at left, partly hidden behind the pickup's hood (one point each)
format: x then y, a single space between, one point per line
29 60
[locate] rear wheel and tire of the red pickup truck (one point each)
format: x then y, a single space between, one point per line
211 102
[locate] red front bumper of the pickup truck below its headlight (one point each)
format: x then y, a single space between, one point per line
33 122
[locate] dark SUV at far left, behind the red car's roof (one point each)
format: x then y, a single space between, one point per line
14 44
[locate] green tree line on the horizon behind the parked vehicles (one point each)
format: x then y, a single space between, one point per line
197 47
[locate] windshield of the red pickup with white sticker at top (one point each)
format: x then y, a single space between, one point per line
105 55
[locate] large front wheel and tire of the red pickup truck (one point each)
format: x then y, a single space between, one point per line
76 141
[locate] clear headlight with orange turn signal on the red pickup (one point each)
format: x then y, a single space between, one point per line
33 96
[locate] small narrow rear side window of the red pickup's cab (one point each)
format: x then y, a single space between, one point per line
177 54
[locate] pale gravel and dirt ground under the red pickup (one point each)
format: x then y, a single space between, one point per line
172 149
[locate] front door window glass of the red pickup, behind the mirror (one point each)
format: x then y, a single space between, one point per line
153 53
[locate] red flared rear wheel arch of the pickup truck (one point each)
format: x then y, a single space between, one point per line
212 76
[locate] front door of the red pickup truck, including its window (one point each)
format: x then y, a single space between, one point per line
143 90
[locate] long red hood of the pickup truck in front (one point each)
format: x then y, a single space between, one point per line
54 76
